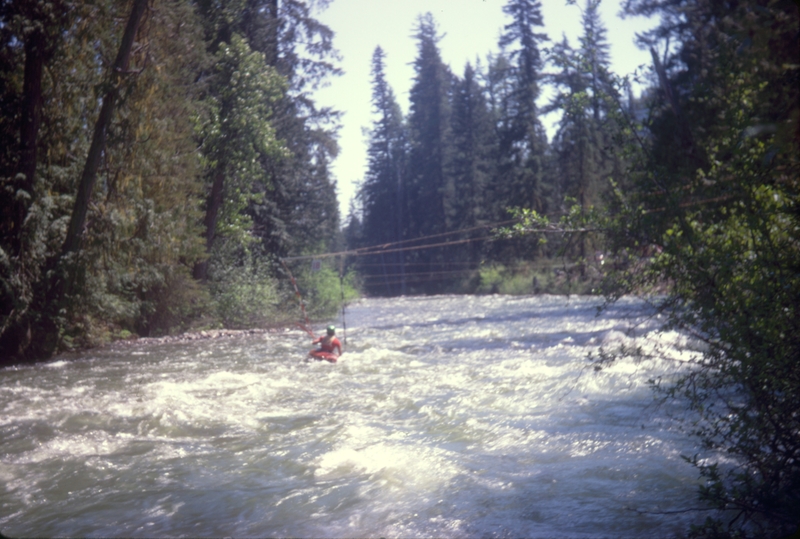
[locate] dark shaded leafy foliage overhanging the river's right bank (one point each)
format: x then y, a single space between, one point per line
712 203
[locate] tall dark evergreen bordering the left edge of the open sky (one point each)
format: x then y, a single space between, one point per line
299 211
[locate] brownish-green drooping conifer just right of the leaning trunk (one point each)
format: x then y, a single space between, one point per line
143 231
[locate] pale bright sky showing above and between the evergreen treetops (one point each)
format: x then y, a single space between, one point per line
471 30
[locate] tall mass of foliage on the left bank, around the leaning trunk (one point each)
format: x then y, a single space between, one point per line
202 100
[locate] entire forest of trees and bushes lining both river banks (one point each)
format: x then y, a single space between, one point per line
160 158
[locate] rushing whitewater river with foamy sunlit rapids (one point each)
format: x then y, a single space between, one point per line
448 416
